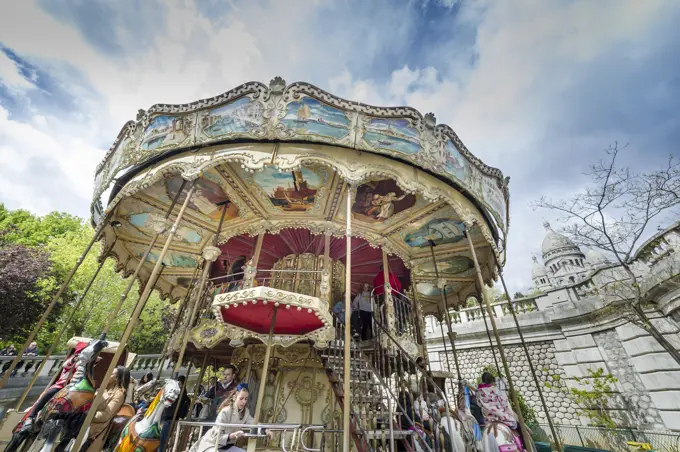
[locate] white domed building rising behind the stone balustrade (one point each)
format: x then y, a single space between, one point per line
563 261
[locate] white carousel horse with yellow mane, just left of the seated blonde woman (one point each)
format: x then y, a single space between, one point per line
144 435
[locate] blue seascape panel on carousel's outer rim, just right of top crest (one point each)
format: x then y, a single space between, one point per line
308 116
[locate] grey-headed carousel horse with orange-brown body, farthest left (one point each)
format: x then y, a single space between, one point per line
62 416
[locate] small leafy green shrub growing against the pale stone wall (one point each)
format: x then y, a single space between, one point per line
594 395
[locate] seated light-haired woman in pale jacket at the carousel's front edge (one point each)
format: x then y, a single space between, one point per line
231 411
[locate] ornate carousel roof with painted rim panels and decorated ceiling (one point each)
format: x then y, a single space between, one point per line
281 158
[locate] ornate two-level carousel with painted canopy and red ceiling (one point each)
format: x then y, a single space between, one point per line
303 239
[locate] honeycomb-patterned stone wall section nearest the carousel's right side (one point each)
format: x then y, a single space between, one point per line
473 360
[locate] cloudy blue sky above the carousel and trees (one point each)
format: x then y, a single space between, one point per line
536 88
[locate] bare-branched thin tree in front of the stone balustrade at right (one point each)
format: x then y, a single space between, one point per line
613 215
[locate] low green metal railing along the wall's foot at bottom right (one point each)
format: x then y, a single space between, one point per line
613 439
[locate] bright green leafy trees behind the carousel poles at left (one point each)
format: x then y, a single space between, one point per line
64 237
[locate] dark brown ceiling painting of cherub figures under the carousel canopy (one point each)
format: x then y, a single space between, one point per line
378 201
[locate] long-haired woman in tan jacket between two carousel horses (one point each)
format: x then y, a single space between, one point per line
114 397
